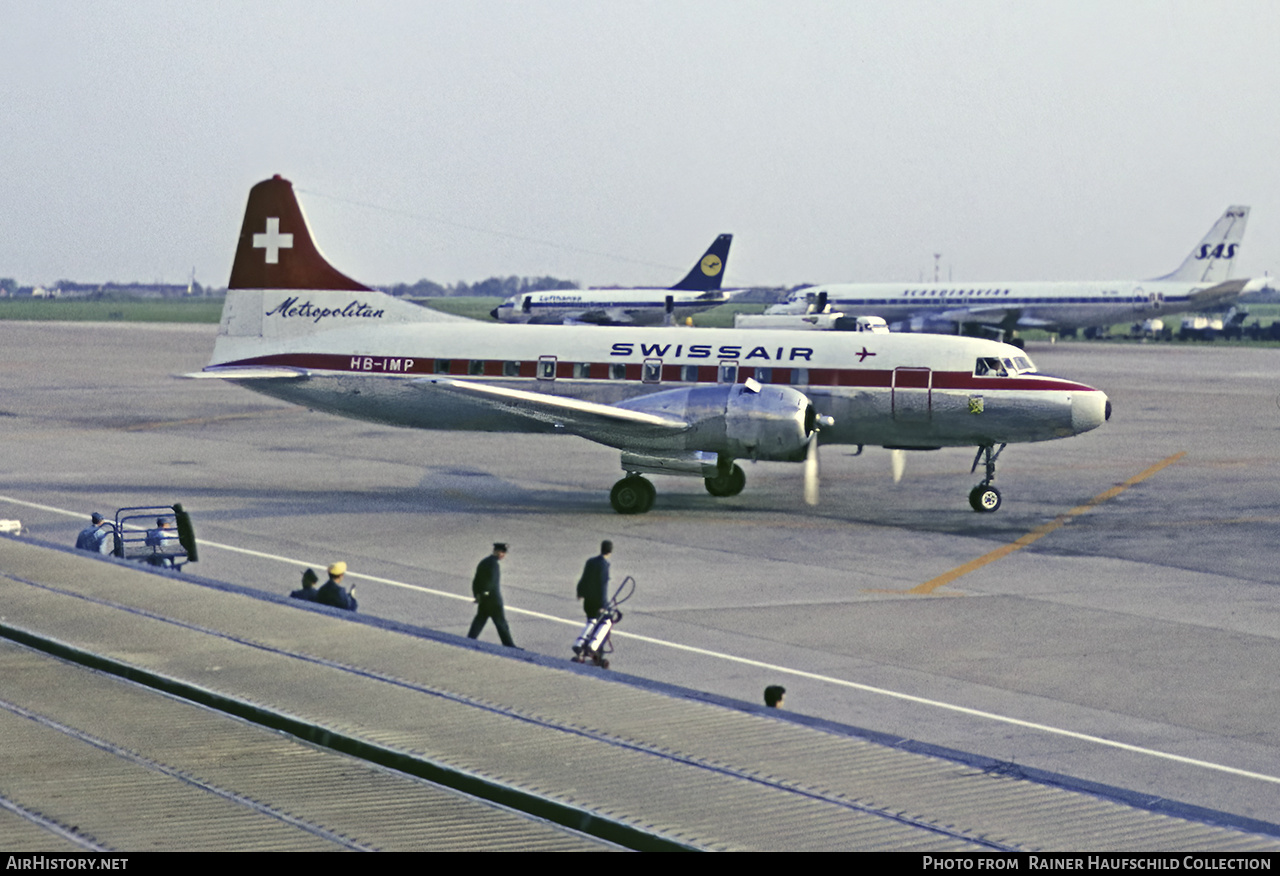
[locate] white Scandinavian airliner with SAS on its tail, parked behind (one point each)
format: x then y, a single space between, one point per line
1203 281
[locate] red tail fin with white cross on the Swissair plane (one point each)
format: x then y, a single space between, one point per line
276 250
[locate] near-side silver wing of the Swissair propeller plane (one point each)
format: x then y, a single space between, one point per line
604 423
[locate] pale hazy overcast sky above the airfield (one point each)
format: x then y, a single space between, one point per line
611 142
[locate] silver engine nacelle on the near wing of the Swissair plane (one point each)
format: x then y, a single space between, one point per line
742 421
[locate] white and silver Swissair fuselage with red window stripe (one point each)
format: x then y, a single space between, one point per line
894 390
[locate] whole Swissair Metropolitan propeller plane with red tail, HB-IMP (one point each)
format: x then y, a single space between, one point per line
682 401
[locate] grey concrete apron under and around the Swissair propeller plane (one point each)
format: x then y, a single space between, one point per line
1114 622
